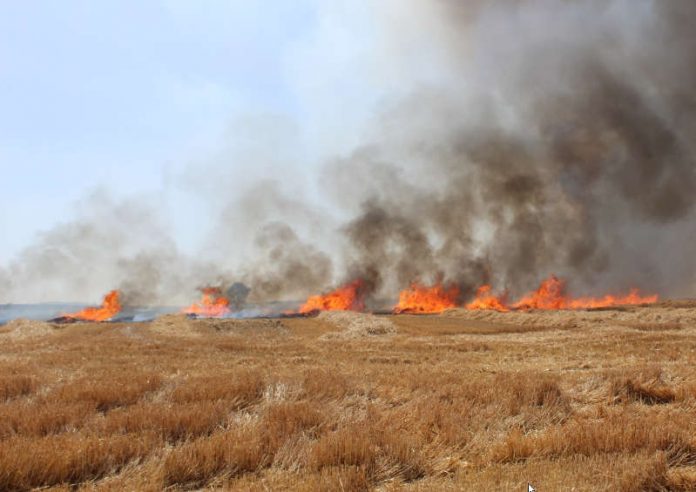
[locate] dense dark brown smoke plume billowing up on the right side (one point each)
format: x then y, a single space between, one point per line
578 158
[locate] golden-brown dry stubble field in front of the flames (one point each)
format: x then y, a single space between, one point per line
591 400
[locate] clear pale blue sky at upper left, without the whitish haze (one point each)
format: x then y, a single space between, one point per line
120 94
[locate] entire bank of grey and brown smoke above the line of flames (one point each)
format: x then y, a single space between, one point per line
504 141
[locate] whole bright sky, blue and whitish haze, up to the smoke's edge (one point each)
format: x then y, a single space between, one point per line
175 100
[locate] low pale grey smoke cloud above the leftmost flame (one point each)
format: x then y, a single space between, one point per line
109 244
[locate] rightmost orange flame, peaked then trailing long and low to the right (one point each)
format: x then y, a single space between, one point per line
551 295
